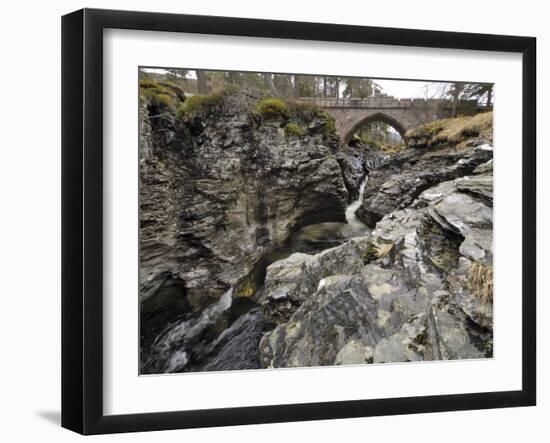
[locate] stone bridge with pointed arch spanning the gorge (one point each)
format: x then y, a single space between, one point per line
402 114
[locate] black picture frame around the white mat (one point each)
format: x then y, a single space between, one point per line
82 218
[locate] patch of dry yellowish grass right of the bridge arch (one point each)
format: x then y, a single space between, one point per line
453 130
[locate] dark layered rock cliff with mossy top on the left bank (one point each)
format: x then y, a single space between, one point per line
220 191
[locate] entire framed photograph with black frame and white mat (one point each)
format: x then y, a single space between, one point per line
269 221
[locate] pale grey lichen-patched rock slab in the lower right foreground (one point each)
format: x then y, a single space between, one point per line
402 293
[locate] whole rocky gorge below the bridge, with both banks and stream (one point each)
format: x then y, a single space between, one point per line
265 242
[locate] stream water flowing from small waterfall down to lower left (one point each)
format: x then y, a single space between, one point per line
226 334
